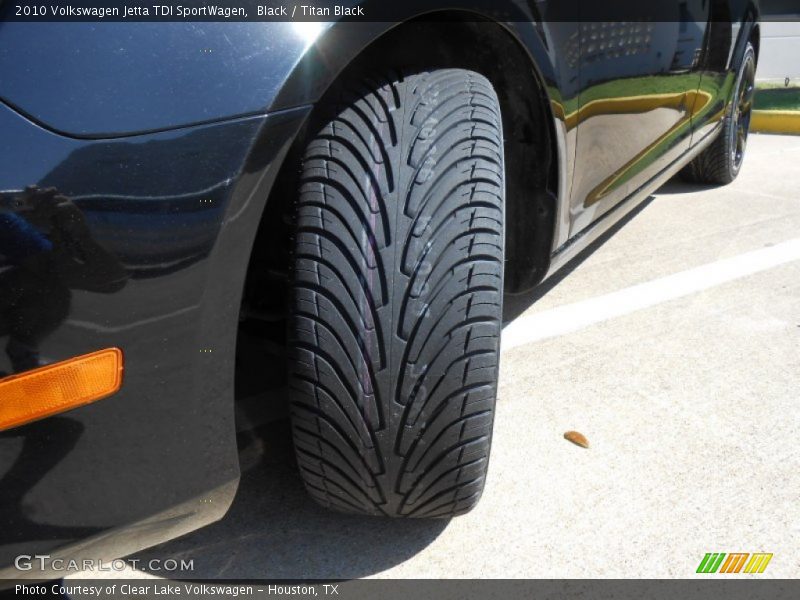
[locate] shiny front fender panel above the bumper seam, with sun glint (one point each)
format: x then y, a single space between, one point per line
90 80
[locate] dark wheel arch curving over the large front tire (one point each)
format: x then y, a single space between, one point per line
518 71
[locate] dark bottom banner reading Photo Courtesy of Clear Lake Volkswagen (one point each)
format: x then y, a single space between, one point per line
408 589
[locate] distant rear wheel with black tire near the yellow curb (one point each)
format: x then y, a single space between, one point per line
720 163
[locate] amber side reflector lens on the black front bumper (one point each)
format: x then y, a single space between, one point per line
55 388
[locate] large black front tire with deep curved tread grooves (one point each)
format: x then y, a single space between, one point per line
396 297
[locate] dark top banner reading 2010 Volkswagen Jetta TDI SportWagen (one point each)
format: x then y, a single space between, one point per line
383 10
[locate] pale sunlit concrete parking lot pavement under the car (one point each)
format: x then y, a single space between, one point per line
689 402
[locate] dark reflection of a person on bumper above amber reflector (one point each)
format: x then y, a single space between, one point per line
46 250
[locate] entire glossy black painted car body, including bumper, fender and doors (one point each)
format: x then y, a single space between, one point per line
168 220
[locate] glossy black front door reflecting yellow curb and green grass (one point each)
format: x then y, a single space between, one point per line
639 81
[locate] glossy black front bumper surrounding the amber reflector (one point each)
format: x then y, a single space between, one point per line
173 210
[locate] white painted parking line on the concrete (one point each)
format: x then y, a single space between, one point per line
573 317
